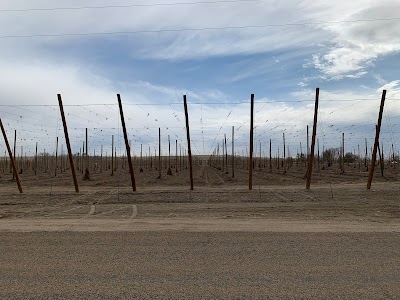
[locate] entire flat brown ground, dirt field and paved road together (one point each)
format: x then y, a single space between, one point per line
278 241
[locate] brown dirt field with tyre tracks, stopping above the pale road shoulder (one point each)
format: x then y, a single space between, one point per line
334 196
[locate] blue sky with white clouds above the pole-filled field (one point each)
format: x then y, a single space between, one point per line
217 53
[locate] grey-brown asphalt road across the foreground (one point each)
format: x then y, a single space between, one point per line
199 265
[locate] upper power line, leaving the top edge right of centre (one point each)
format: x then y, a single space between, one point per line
121 6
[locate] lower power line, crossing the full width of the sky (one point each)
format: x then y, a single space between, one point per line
77 34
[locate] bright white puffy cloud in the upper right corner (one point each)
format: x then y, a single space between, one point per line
356 46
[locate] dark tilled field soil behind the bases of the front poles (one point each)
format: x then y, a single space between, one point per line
203 176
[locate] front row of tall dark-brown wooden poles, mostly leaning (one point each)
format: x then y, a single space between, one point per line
250 163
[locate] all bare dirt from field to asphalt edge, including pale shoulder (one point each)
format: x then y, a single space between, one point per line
218 202
